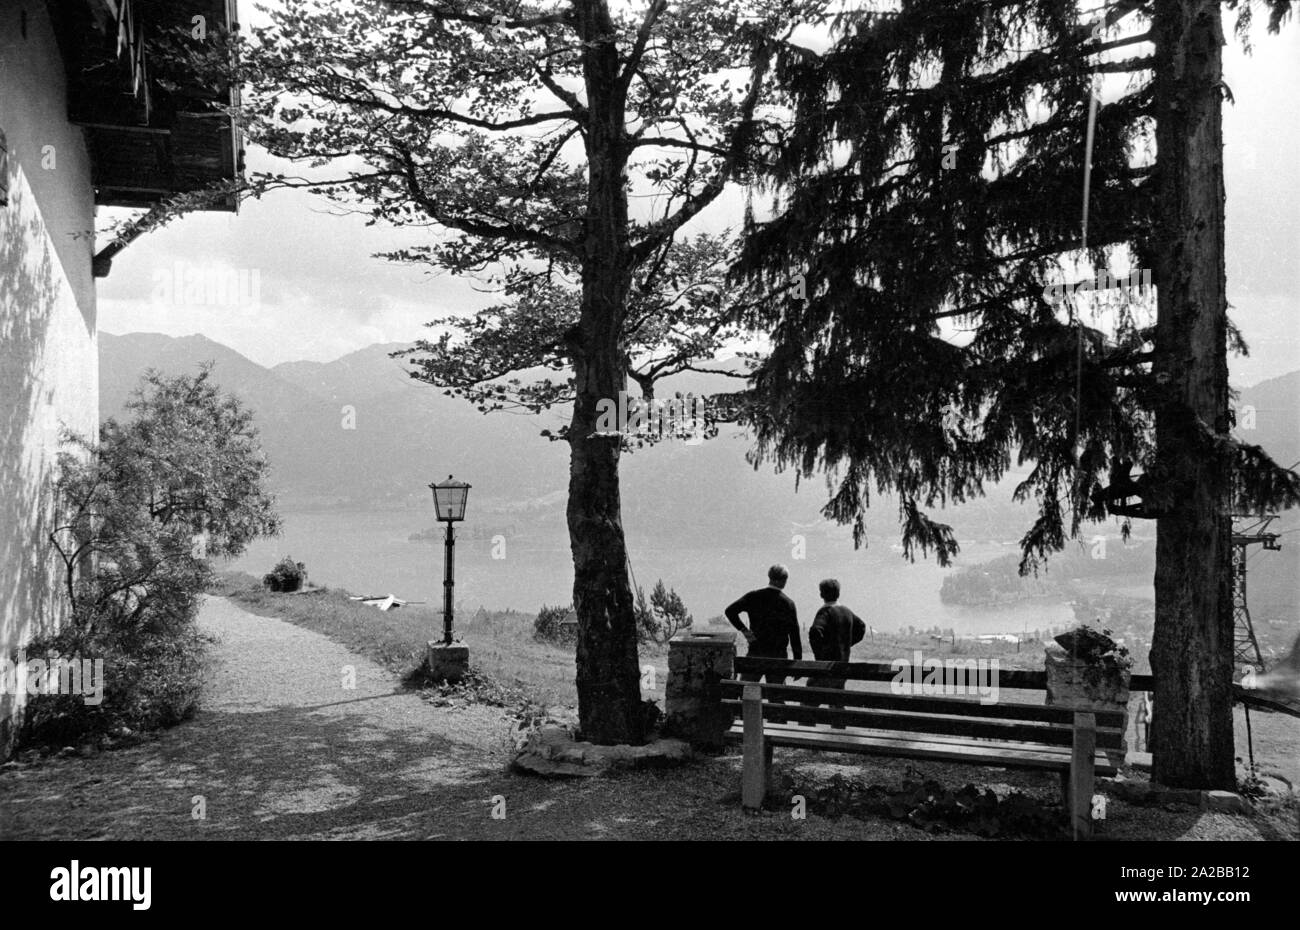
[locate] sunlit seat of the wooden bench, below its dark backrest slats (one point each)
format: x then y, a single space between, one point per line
894 745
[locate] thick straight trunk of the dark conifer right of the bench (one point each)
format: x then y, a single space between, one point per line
1193 643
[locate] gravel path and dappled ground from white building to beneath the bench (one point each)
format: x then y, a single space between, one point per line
284 750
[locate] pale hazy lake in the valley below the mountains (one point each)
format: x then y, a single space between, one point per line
370 553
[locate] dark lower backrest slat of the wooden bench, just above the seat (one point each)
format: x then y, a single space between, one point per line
931 724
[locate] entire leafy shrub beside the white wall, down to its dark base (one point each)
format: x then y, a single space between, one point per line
141 514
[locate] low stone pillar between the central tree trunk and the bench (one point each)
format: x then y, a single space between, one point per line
697 664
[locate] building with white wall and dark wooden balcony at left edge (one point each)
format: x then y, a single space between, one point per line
83 124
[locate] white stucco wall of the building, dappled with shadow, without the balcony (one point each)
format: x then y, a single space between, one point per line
49 348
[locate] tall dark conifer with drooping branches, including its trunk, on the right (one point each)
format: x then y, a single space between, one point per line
929 198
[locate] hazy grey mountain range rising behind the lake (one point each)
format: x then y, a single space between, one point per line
359 434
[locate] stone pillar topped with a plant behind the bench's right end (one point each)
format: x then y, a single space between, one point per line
1086 673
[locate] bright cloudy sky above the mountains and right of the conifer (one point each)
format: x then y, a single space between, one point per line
304 283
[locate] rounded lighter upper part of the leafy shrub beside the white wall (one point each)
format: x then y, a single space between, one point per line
146 508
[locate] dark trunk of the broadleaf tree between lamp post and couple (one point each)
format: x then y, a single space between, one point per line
609 676
